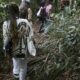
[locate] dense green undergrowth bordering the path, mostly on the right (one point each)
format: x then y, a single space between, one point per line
59 57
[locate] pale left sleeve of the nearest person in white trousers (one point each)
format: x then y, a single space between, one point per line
5 36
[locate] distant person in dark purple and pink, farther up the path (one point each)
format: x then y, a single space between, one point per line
44 13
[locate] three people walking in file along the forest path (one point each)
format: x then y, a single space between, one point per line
18 33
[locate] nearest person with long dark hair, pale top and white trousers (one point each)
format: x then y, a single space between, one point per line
17 40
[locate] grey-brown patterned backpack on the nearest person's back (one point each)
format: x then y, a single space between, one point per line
21 41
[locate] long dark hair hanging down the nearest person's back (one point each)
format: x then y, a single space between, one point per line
13 12
